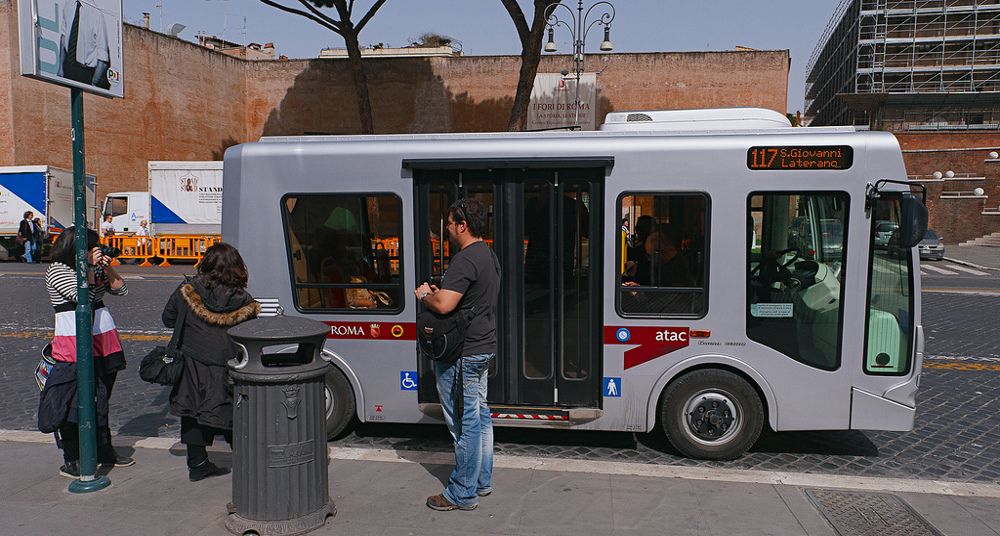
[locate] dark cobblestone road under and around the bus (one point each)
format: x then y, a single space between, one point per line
957 435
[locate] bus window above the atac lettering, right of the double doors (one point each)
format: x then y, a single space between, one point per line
662 254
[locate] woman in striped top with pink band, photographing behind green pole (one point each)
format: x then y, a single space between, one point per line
57 408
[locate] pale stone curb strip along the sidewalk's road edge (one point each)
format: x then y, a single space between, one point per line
534 463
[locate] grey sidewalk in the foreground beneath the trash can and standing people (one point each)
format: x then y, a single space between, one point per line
383 492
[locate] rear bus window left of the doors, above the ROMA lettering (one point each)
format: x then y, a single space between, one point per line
344 252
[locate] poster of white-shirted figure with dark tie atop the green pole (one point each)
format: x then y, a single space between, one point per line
74 43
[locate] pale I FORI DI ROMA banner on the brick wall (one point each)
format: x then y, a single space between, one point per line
553 101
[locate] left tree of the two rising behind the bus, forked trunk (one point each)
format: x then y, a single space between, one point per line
344 27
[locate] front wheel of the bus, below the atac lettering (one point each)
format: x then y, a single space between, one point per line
711 414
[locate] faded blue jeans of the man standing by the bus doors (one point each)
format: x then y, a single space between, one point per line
474 440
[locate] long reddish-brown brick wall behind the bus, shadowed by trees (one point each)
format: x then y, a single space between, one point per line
184 102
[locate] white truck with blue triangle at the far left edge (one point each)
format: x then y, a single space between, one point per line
44 190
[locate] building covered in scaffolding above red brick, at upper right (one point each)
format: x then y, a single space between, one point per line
929 72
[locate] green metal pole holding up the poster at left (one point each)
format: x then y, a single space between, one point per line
88 481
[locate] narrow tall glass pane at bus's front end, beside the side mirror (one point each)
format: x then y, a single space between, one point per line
890 295
